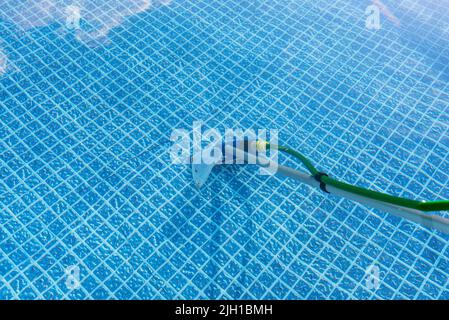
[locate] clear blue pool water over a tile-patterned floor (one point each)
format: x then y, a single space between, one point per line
88 190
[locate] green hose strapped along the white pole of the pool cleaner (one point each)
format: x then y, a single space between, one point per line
442 205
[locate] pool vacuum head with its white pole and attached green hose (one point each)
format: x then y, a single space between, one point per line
413 210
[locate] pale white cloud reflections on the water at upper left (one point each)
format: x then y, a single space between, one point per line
90 20
